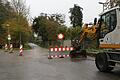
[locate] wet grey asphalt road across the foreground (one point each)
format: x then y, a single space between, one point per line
34 65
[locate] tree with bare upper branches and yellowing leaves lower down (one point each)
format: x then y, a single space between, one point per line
21 13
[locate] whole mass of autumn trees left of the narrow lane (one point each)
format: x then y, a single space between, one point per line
17 21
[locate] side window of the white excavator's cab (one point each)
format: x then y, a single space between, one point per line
108 23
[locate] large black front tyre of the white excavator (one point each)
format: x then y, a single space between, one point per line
102 62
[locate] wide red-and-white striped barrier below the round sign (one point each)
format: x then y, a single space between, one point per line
59 52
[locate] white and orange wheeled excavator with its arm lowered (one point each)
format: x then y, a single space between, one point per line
107 32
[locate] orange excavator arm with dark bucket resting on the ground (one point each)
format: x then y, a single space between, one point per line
88 32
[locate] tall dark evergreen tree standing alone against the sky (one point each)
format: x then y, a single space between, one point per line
76 15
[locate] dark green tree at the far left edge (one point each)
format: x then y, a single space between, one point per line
5 13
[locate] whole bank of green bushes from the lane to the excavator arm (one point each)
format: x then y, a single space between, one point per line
48 27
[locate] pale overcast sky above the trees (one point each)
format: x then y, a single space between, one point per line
91 8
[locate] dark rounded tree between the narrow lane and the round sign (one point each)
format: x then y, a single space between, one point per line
45 27
